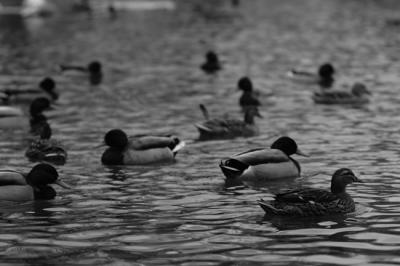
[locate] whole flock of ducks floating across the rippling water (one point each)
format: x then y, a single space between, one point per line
274 163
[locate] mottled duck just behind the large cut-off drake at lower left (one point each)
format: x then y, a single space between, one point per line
46 149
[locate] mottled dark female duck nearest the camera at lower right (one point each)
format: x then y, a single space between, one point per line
313 201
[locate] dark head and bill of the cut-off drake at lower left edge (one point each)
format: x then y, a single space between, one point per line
40 177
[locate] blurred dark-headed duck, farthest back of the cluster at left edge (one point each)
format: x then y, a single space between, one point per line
47 89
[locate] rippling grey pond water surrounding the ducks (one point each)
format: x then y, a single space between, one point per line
184 213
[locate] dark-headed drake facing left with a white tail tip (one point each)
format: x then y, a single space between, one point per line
139 149
